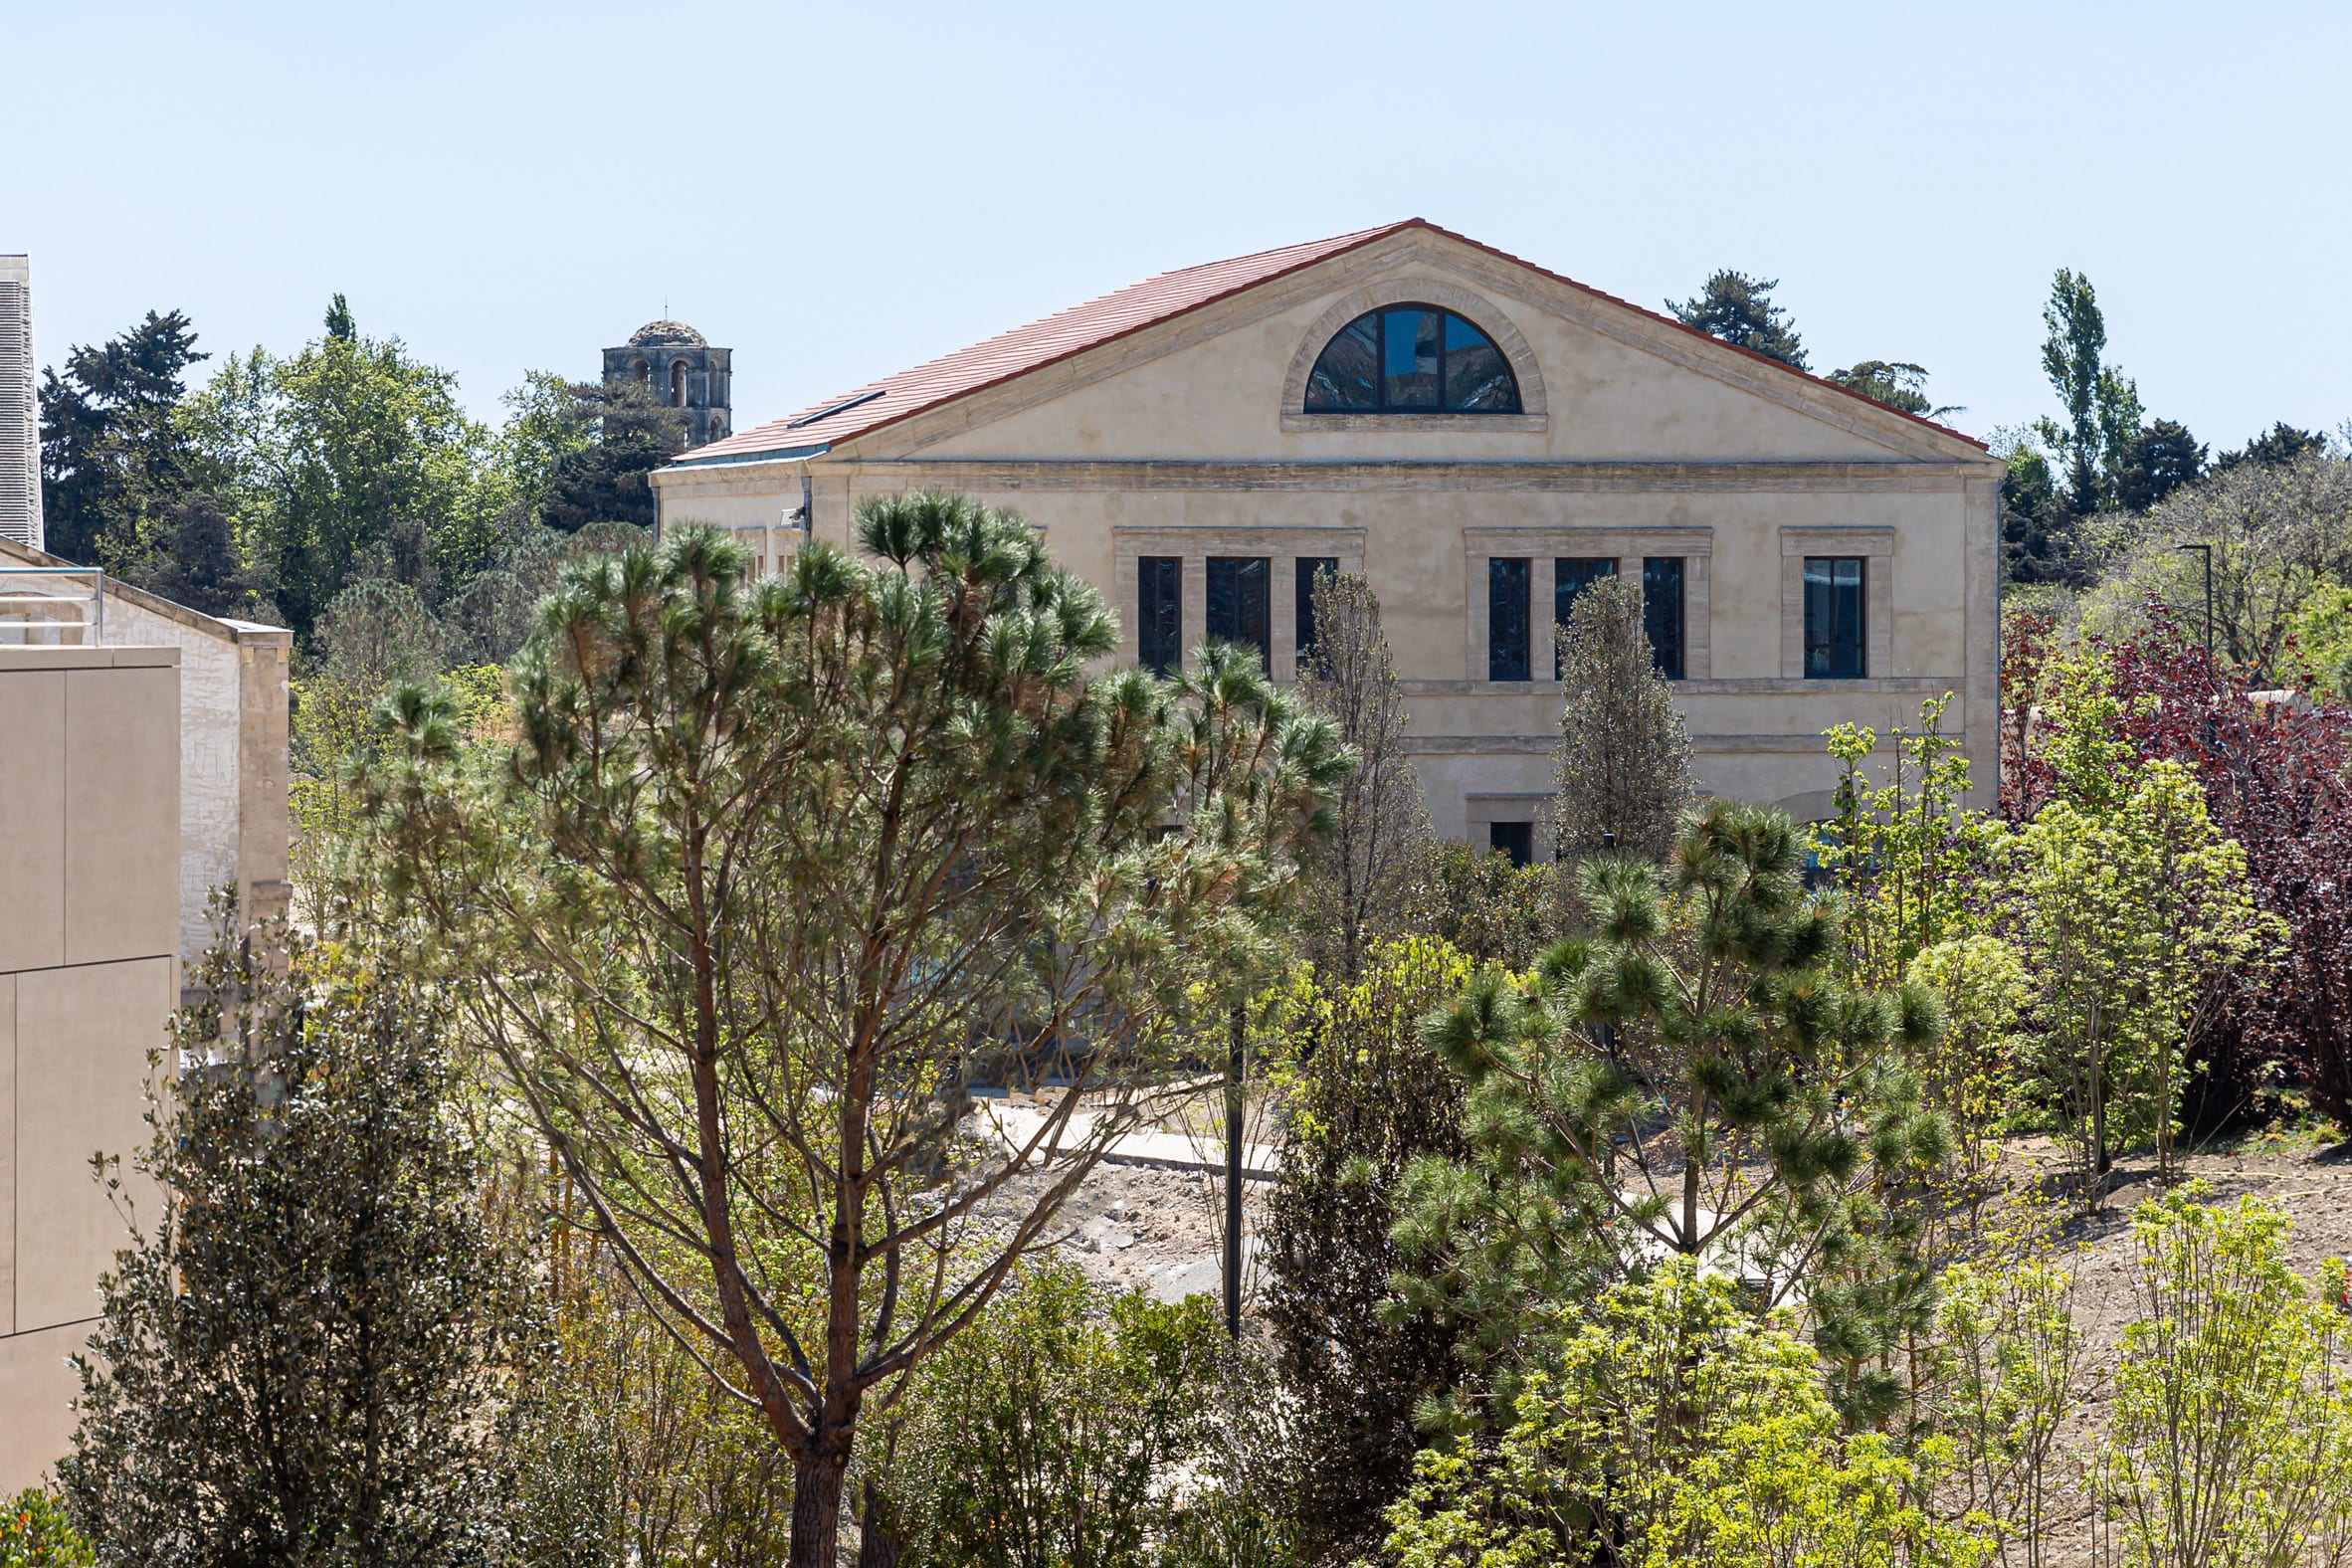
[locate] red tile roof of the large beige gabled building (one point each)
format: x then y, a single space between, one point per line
1104 321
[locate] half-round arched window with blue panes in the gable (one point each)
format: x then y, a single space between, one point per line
1412 361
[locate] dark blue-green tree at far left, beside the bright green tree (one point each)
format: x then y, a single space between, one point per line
114 457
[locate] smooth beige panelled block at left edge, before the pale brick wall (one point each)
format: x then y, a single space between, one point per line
91 805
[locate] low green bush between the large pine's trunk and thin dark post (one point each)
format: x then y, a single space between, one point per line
1045 1435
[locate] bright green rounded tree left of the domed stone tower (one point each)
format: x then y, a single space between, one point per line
333 450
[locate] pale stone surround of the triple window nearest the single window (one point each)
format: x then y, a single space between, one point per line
1551 544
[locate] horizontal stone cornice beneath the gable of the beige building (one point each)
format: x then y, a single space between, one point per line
1410 476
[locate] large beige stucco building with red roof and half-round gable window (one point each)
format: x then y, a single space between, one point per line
1476 436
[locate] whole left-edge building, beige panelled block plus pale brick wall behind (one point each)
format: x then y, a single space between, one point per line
142 768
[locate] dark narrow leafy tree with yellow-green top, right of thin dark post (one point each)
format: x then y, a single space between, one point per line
1368 1101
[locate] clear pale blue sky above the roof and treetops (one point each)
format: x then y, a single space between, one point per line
846 189
